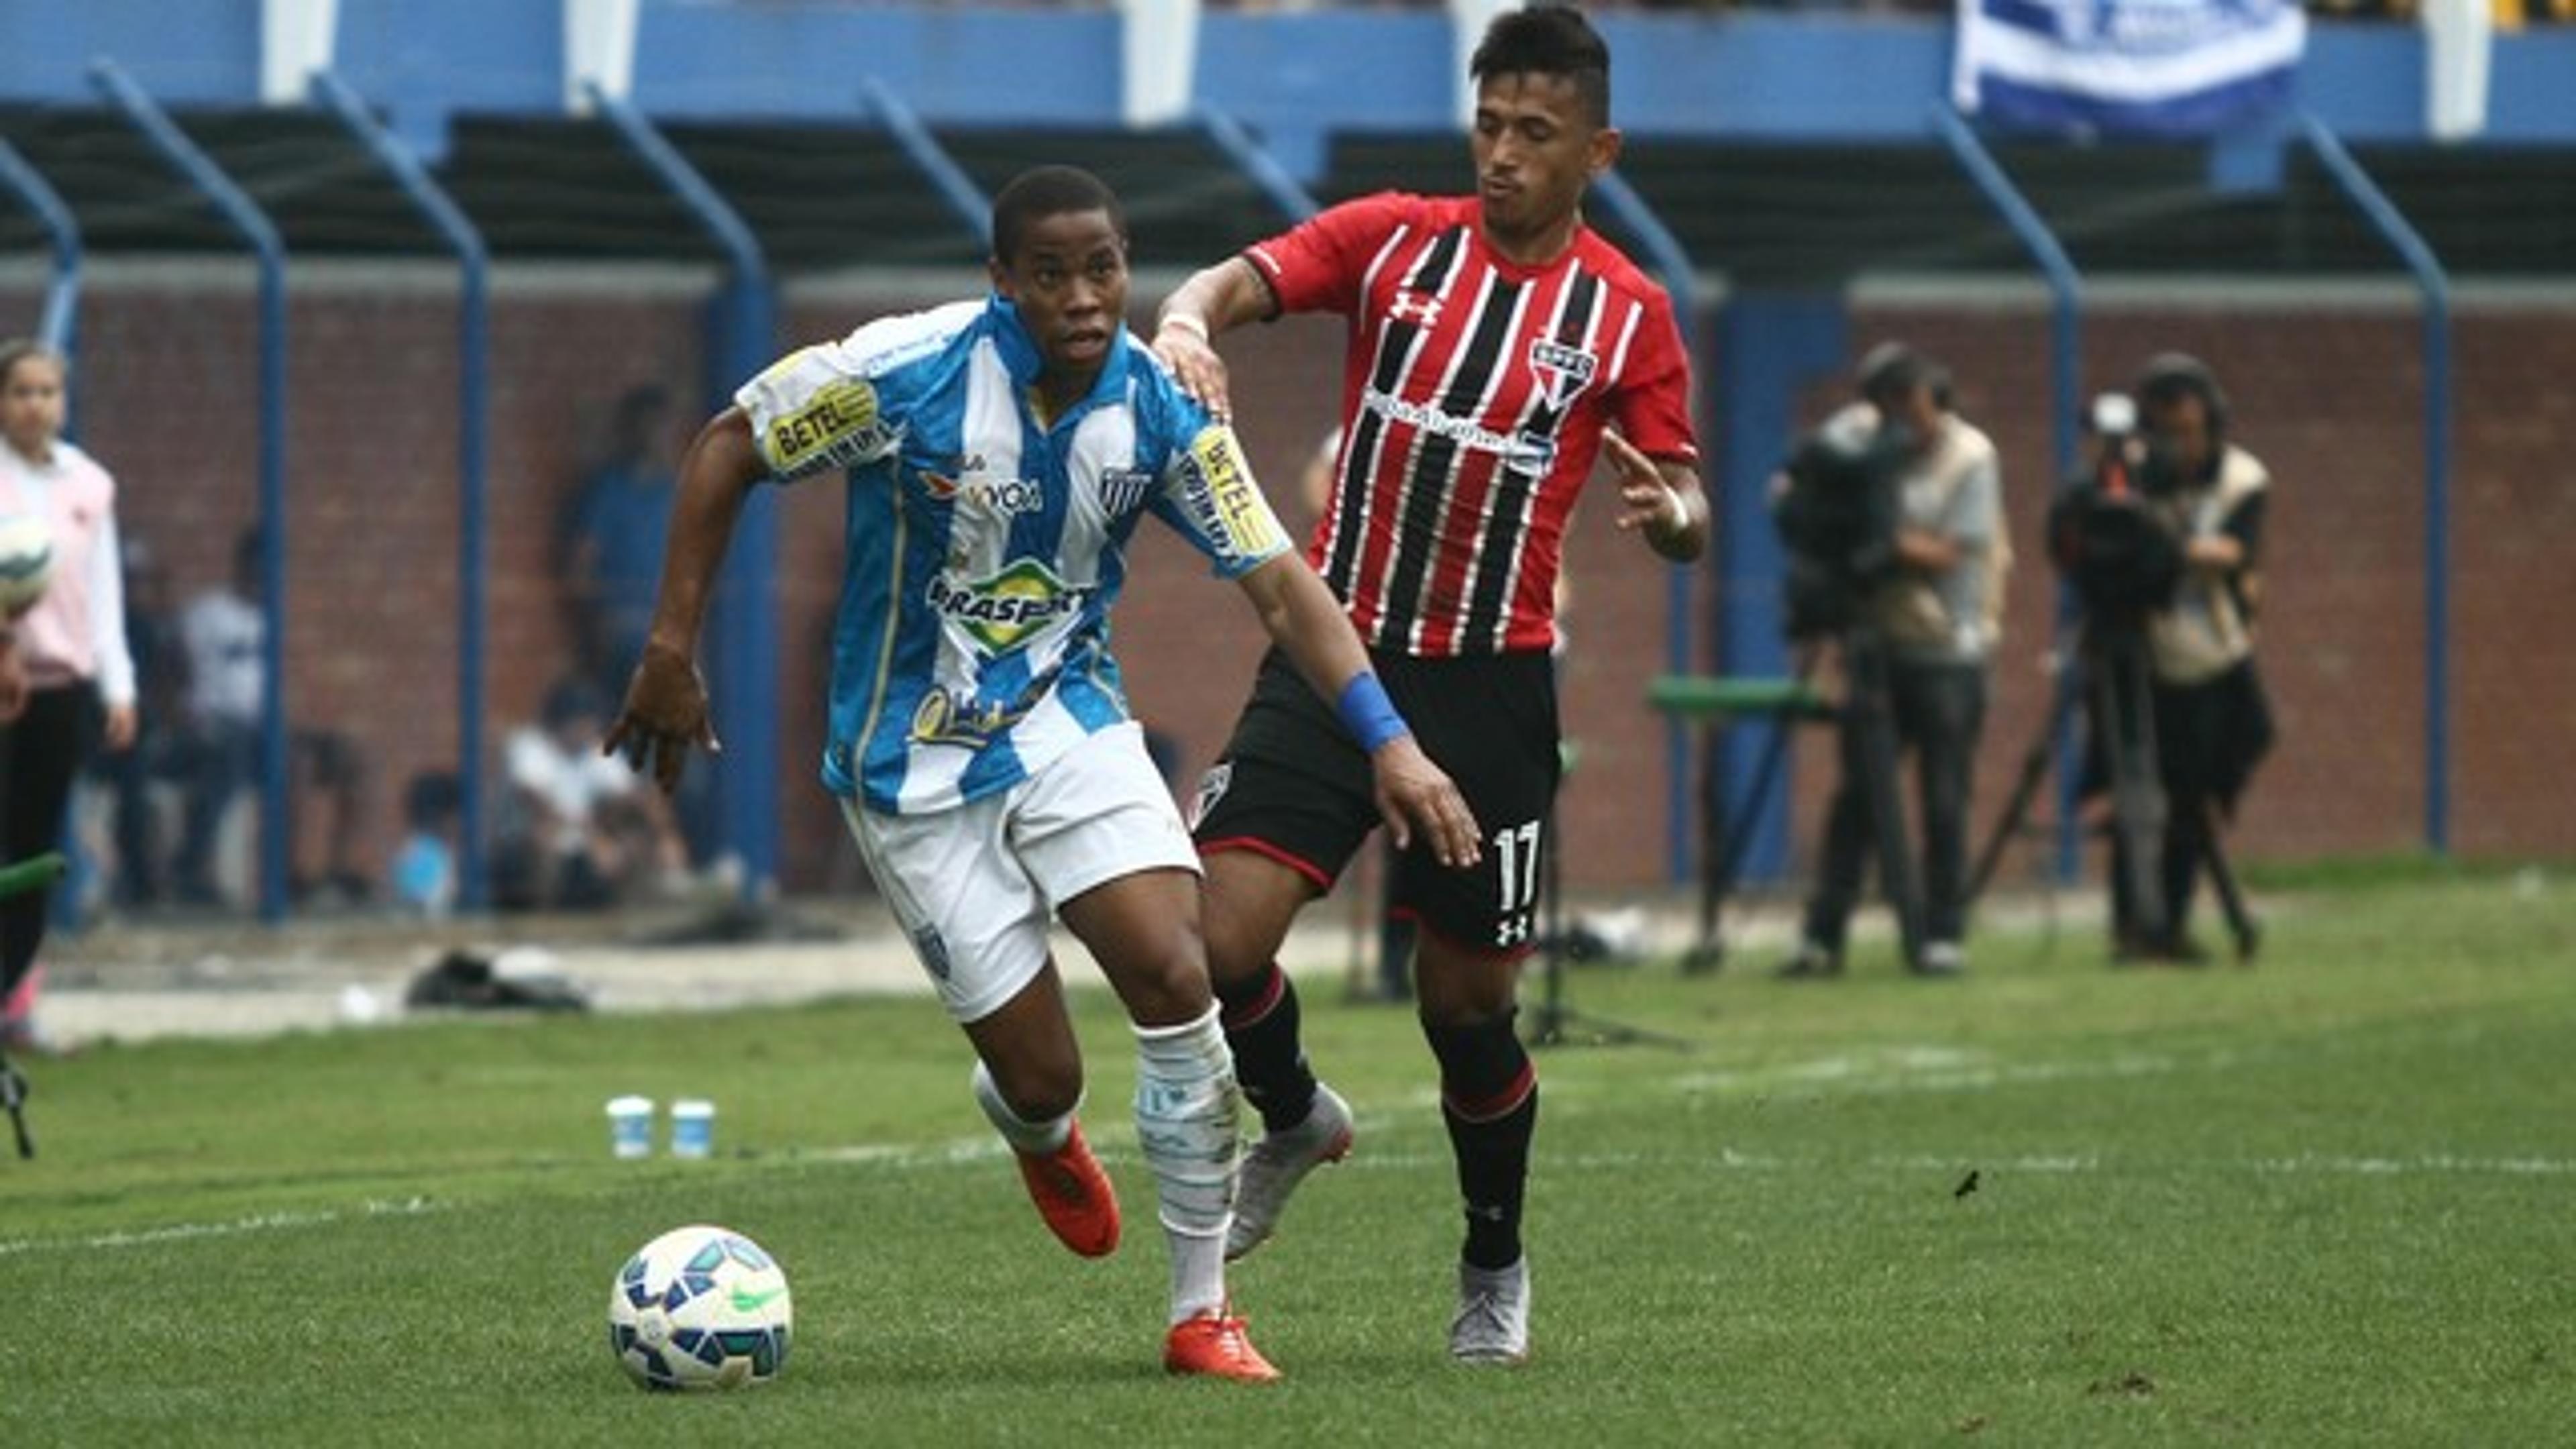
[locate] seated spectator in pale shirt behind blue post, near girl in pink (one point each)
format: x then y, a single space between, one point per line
225 641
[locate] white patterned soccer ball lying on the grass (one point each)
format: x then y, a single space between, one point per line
699 1308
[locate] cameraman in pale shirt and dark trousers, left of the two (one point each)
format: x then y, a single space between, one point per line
1926 599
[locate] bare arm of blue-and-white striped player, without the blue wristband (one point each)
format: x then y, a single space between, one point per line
666 697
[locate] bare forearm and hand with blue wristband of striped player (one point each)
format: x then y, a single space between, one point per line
1318 638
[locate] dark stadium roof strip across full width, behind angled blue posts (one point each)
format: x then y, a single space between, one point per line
826 197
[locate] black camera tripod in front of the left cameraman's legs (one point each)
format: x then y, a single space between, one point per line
1866 713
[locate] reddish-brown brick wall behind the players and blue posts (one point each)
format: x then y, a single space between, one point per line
2327 396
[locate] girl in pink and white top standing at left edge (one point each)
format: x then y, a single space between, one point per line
71 646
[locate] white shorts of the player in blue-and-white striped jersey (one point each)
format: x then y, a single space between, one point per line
978 886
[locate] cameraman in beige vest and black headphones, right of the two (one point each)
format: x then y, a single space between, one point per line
2211 723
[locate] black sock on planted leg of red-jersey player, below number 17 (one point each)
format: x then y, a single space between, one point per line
1490 1102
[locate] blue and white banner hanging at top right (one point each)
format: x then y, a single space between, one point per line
2147 68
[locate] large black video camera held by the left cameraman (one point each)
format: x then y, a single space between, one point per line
1838 520
